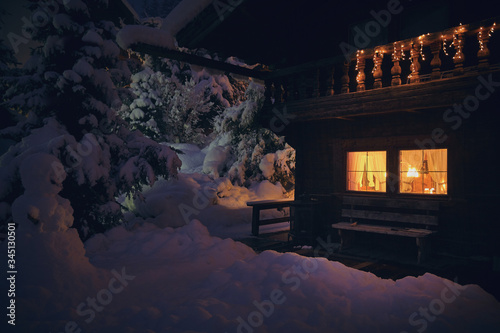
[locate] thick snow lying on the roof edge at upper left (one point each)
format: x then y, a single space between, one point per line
178 18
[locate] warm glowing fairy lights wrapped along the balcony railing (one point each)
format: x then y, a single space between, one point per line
456 41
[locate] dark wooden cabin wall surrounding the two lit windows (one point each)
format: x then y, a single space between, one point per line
468 212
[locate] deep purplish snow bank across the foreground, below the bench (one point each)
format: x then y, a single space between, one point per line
184 280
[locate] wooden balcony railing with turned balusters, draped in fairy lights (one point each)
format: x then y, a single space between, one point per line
433 56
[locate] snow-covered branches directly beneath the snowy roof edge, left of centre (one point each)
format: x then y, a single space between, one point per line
176 103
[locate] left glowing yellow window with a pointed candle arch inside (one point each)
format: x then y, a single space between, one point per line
366 171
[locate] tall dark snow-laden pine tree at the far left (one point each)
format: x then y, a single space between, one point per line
69 94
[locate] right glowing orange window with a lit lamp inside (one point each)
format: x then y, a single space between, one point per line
423 171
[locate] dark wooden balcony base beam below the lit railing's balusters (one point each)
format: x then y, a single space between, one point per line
439 94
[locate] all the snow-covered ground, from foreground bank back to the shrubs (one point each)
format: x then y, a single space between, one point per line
165 271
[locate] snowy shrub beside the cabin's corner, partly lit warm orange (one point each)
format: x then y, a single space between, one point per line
256 153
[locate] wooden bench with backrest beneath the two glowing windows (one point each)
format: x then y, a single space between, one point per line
397 217
